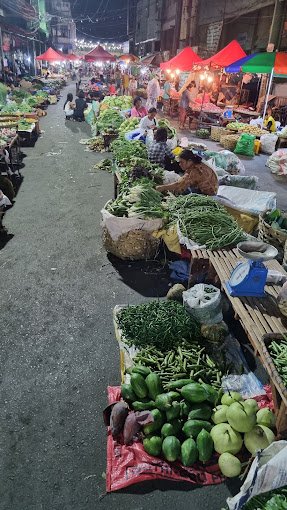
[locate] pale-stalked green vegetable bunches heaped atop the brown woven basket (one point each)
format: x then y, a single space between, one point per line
138 200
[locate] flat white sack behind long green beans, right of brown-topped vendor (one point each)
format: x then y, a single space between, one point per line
246 200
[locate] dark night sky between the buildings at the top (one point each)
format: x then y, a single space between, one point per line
108 19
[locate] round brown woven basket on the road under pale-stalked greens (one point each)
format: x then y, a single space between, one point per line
133 245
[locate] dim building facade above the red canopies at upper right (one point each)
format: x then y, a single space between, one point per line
208 25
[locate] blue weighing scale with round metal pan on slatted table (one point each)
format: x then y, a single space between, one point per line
249 278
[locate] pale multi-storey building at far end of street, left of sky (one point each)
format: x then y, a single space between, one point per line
63 28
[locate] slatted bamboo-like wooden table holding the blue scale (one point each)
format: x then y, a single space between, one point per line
258 316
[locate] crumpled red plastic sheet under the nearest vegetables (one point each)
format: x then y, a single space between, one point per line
128 465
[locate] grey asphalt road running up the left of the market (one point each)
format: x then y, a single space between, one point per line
57 347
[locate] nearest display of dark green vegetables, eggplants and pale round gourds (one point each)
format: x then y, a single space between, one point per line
191 422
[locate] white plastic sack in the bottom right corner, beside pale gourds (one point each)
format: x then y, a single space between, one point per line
268 472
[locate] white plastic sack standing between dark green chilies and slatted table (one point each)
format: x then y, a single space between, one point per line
204 303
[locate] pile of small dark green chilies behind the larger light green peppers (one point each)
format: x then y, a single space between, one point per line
162 324
